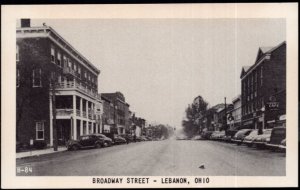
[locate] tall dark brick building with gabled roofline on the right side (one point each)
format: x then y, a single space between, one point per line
260 84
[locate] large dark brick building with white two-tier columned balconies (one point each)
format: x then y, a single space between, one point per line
53 81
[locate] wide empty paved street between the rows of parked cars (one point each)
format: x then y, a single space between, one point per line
157 158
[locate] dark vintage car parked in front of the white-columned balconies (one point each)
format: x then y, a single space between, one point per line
85 141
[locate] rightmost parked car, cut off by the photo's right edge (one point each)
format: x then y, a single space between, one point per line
278 134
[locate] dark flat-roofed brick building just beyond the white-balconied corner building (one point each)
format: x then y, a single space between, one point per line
120 111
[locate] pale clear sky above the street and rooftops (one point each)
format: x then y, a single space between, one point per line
161 65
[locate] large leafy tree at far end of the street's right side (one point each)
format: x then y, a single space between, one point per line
195 115
